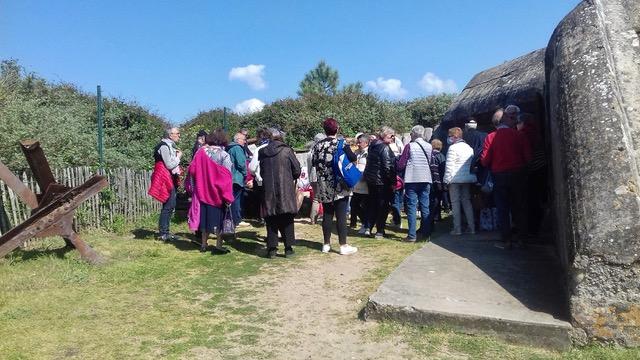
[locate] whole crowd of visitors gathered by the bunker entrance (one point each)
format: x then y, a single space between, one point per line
421 177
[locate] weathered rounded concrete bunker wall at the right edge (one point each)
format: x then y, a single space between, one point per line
593 101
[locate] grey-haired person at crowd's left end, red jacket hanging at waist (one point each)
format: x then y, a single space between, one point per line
167 158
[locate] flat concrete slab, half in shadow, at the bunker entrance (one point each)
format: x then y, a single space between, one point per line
469 284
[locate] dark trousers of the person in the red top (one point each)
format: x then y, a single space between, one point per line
508 192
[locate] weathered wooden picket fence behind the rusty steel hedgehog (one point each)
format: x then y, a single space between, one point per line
125 199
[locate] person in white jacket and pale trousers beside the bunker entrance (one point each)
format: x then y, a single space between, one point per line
459 178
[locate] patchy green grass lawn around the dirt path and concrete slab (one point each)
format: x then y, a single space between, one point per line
152 299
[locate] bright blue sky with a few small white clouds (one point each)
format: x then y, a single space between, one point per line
178 57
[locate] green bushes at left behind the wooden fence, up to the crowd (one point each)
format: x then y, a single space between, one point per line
63 118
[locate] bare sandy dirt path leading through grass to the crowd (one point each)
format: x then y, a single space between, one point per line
313 308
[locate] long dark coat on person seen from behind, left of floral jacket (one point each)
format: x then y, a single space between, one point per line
279 169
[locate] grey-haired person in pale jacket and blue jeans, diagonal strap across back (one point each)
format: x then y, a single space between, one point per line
416 163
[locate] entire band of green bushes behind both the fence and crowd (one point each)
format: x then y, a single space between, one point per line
63 119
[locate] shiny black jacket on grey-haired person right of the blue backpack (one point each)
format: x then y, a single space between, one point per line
381 165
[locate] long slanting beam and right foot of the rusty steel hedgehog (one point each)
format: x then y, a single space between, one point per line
55 218
